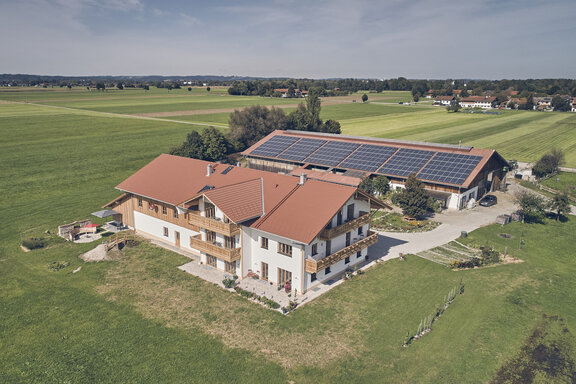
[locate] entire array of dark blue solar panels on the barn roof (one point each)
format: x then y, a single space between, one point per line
441 167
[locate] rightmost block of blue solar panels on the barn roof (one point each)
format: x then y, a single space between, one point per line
451 168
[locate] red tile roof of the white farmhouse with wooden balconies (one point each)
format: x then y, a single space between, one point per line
294 211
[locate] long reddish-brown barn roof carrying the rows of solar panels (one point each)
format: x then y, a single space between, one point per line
444 164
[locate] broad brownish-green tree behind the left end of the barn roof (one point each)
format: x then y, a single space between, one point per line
253 123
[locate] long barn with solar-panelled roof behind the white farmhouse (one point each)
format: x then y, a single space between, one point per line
453 174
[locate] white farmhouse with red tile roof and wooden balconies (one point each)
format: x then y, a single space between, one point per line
249 222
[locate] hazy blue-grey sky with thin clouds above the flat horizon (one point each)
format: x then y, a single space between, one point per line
293 38
